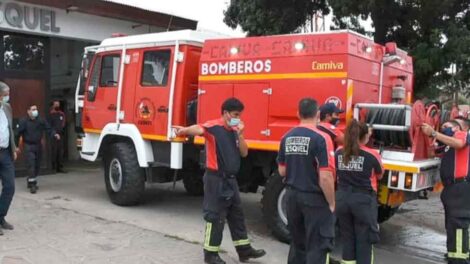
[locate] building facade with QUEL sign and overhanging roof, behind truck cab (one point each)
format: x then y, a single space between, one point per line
42 43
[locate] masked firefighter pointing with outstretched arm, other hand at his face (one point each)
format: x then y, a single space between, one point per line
225 144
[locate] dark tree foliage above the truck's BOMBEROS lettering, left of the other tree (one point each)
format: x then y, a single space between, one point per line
270 17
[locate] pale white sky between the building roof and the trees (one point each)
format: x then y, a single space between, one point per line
209 13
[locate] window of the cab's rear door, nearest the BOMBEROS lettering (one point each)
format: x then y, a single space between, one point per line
155 68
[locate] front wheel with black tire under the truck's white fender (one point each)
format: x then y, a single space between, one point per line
129 188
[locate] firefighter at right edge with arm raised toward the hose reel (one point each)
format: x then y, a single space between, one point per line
455 176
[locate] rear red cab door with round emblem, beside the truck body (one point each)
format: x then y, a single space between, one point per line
152 92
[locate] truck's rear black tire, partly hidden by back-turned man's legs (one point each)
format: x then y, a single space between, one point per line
273 189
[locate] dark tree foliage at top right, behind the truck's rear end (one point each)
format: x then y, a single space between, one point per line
436 33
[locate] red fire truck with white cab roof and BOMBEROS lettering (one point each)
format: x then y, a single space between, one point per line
133 90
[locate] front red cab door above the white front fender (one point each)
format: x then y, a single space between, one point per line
101 92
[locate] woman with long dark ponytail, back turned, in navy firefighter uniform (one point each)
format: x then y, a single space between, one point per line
356 198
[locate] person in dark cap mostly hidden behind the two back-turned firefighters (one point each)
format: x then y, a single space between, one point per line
329 119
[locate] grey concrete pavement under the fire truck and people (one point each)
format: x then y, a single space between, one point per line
71 220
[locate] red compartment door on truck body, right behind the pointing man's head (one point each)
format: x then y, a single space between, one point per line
255 97
